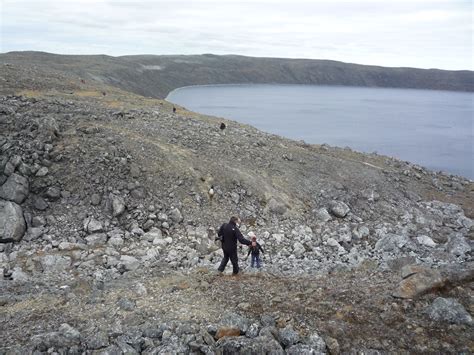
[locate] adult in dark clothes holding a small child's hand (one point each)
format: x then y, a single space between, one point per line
229 233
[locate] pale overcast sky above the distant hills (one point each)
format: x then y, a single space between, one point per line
414 33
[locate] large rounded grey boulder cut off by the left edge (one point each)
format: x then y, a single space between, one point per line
12 223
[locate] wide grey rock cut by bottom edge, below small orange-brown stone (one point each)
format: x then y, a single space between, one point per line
243 345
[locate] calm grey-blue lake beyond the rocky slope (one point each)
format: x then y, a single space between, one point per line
427 127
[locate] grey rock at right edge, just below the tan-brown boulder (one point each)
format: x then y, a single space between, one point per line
449 310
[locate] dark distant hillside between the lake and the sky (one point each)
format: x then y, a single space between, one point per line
156 76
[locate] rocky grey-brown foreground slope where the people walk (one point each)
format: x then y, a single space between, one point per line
106 195
